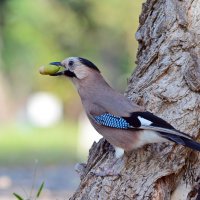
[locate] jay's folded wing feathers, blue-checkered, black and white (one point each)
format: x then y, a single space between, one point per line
139 121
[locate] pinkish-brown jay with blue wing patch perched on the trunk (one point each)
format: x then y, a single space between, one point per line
122 123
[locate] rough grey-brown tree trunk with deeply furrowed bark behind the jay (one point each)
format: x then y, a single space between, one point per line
167 82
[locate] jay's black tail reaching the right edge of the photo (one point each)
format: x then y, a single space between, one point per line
183 141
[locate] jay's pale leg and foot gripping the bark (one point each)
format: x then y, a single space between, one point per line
110 170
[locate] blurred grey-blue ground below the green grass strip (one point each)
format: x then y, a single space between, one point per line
60 182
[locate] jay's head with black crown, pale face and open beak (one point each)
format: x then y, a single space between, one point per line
76 68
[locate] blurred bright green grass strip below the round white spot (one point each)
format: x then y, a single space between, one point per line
23 144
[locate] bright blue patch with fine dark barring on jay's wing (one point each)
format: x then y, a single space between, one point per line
112 121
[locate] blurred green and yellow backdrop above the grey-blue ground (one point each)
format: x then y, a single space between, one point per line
33 33
